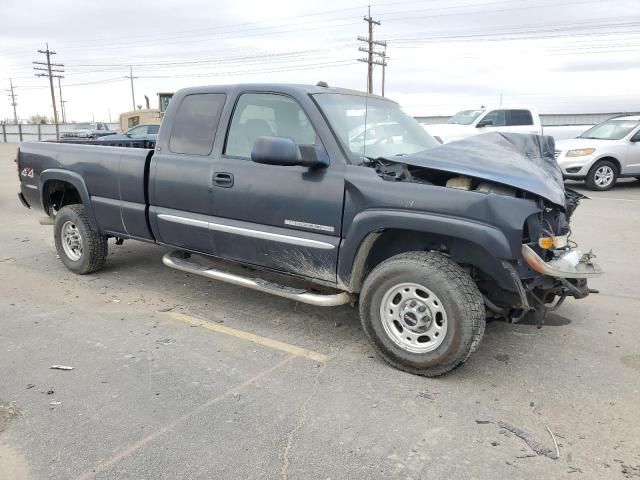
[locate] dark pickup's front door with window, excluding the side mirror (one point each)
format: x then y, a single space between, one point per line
286 218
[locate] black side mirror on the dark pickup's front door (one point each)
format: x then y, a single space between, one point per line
284 152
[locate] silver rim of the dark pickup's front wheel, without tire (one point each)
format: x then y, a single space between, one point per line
413 317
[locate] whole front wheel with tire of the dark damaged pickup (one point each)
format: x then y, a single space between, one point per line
422 312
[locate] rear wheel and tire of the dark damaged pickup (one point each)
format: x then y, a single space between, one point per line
80 247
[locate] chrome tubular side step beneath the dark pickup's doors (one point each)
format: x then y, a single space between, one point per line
176 260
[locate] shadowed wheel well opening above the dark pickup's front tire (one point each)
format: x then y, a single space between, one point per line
389 243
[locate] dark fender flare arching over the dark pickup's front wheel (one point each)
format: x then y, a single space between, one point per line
368 225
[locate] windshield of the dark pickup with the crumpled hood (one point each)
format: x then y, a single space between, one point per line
372 127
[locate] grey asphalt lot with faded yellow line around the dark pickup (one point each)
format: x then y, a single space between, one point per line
177 376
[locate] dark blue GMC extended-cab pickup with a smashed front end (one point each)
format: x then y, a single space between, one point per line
329 196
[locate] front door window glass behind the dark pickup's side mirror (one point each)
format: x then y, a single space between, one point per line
267 115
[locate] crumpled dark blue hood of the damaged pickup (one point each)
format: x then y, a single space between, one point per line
525 162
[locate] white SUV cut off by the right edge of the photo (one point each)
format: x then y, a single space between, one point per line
602 154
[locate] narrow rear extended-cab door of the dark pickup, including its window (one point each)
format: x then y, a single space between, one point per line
181 172
